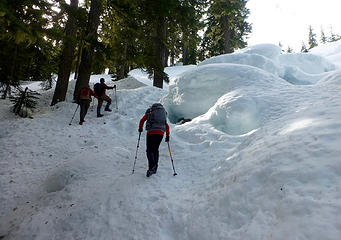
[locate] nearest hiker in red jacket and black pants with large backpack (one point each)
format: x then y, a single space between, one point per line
156 126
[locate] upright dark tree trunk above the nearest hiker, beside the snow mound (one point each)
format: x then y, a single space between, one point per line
159 74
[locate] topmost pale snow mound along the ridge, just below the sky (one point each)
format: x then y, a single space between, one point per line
298 69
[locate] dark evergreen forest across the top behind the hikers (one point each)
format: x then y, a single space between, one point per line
46 40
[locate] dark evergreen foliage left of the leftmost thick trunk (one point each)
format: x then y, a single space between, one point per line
27 41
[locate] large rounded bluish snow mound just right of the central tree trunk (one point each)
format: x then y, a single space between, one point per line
196 91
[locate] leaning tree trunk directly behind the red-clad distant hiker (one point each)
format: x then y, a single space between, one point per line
88 49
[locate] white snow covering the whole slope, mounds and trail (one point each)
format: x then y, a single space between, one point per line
260 158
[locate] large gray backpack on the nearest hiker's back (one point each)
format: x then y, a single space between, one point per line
157 118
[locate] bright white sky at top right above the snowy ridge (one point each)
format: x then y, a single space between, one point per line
287 21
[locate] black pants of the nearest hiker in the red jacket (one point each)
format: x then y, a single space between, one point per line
153 143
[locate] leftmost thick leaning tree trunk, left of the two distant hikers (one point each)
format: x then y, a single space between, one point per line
67 56
